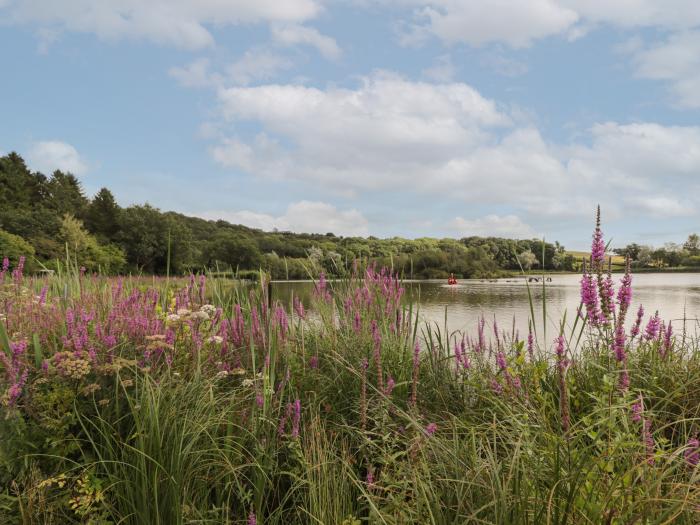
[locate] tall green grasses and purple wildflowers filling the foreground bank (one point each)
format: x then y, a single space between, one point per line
183 400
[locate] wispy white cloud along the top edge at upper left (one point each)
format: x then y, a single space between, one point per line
182 23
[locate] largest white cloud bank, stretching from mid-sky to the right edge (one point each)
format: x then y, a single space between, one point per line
446 139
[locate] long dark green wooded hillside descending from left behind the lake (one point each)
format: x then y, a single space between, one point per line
49 218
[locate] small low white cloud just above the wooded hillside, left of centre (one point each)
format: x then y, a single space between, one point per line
303 217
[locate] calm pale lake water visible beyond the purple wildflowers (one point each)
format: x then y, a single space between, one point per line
675 295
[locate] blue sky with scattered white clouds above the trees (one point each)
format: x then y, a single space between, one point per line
441 118
